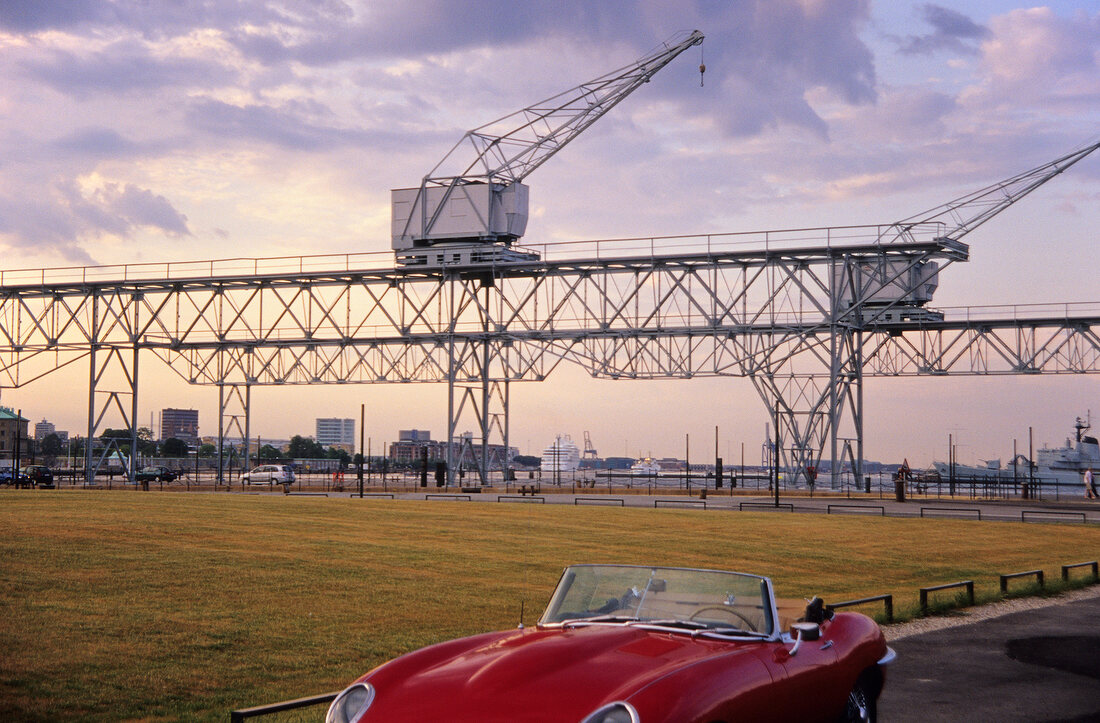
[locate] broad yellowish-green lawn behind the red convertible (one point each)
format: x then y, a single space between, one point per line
155 607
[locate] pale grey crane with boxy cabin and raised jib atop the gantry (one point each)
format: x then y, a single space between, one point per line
474 205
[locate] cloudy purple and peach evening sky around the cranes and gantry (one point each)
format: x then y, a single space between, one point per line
137 132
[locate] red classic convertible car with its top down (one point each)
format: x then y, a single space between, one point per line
625 644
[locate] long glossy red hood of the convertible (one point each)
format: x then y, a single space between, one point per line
534 675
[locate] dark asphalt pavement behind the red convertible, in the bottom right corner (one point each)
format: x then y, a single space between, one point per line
1038 665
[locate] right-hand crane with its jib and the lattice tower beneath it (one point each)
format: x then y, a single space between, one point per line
810 375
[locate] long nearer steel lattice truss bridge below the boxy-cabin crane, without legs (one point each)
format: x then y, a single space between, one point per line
676 315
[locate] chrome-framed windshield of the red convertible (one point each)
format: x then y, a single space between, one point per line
705 600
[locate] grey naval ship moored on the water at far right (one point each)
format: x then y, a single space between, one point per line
1064 465
